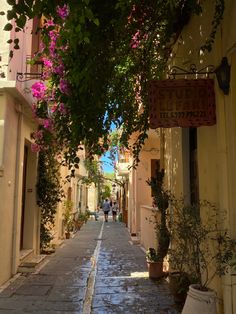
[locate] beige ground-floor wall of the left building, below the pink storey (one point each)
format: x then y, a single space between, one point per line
17 129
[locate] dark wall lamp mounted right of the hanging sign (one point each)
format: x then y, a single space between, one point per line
223 75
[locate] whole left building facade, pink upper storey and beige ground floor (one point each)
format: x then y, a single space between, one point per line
20 216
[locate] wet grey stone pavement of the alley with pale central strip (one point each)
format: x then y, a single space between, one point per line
99 271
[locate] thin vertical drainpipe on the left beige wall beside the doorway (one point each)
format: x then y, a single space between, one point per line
16 220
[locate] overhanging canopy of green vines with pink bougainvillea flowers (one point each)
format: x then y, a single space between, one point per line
98 57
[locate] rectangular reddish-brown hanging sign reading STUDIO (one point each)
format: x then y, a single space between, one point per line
181 103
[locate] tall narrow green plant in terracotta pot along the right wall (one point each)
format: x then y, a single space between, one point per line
155 257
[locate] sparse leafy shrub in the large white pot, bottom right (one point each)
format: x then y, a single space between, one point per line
207 253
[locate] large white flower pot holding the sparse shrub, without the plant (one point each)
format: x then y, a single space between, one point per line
200 302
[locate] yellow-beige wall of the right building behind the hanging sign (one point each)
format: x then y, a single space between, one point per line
216 144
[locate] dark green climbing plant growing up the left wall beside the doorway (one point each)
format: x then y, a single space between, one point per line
49 193
